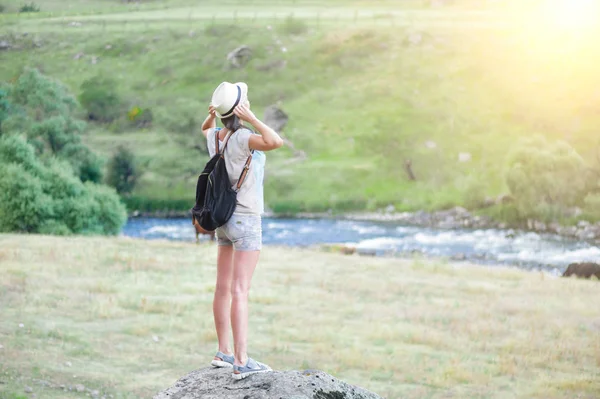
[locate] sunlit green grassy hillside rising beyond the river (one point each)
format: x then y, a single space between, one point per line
366 86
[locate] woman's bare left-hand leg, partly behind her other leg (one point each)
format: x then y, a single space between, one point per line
222 298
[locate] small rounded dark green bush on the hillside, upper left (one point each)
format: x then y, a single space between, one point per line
100 98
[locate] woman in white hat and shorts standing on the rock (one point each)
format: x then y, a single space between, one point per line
240 239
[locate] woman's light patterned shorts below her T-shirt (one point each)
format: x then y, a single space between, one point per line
244 232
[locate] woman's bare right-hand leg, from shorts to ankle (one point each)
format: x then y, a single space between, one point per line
244 263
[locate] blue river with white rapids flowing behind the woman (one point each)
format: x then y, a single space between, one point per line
527 250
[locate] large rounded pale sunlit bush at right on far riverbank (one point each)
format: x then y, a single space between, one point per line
545 178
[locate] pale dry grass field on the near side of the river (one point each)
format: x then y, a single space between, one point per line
132 316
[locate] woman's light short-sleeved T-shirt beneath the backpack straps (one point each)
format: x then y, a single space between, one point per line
250 197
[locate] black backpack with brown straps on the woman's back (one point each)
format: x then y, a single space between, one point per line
215 198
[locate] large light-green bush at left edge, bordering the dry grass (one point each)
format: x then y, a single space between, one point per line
47 197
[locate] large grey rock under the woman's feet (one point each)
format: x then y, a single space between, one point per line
213 383
